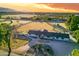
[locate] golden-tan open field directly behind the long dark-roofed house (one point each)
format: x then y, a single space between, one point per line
36 26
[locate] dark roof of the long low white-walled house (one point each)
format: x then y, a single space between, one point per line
48 34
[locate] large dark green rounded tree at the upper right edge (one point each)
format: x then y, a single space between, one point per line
73 22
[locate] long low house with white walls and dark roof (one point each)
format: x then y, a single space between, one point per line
50 35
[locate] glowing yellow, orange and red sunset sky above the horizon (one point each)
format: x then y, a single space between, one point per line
44 7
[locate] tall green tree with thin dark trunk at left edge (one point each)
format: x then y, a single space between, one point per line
5 35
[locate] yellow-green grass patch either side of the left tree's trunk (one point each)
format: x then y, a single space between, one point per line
15 43
